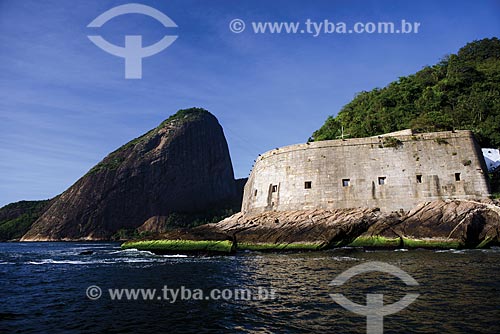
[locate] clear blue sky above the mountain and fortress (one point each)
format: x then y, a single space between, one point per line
64 103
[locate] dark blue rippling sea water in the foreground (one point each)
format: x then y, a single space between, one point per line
44 288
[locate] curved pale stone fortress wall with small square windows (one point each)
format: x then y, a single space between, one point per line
392 172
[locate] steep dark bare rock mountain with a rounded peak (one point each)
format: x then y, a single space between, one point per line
183 165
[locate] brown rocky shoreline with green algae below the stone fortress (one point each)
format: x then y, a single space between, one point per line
445 224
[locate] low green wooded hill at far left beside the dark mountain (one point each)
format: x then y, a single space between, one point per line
17 218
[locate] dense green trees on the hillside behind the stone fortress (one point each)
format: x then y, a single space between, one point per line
461 92
